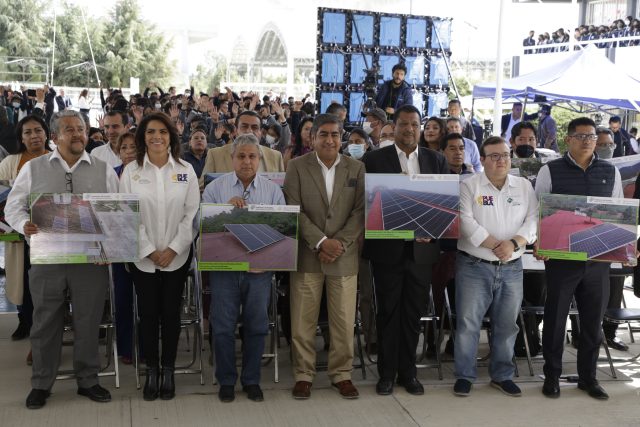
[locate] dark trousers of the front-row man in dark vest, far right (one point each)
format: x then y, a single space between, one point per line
589 282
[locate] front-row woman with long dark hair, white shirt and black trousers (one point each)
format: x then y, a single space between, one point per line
169 200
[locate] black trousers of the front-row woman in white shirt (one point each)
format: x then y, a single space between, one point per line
159 301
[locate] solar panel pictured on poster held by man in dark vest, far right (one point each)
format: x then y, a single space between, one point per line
600 239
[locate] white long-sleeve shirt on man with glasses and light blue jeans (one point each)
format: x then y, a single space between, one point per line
504 213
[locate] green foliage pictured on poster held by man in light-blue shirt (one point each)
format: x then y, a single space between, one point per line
285 223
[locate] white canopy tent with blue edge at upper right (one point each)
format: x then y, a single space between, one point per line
586 76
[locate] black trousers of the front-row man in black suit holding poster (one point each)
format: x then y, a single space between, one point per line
402 295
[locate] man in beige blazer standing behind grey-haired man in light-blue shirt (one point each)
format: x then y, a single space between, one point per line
219 159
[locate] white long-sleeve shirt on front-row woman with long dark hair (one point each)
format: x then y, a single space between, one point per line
169 200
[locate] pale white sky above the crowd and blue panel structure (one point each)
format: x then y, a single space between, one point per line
474 36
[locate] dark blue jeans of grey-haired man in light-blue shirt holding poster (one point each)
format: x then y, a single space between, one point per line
229 292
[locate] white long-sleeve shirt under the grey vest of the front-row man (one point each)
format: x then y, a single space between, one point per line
16 210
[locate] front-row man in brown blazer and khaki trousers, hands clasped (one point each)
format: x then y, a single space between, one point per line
329 188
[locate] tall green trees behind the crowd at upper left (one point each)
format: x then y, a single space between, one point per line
123 44
